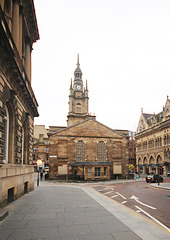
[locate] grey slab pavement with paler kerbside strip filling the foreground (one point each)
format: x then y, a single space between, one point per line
68 211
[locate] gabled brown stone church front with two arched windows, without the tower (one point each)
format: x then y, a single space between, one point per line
88 150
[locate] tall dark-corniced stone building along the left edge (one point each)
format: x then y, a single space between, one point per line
18 105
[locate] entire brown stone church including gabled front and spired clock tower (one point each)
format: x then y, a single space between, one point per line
86 149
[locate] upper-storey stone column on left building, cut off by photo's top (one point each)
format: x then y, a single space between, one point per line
15 27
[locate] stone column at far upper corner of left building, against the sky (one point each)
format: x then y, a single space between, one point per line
28 58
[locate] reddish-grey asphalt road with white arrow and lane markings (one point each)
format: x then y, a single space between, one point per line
154 203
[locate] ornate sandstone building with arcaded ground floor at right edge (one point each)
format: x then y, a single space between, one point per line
153 142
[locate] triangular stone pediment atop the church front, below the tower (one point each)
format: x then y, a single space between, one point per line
89 128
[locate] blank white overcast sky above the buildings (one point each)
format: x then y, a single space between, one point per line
124 53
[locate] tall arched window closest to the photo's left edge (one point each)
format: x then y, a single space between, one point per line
6 135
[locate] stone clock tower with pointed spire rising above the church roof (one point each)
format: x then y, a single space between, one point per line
78 98
